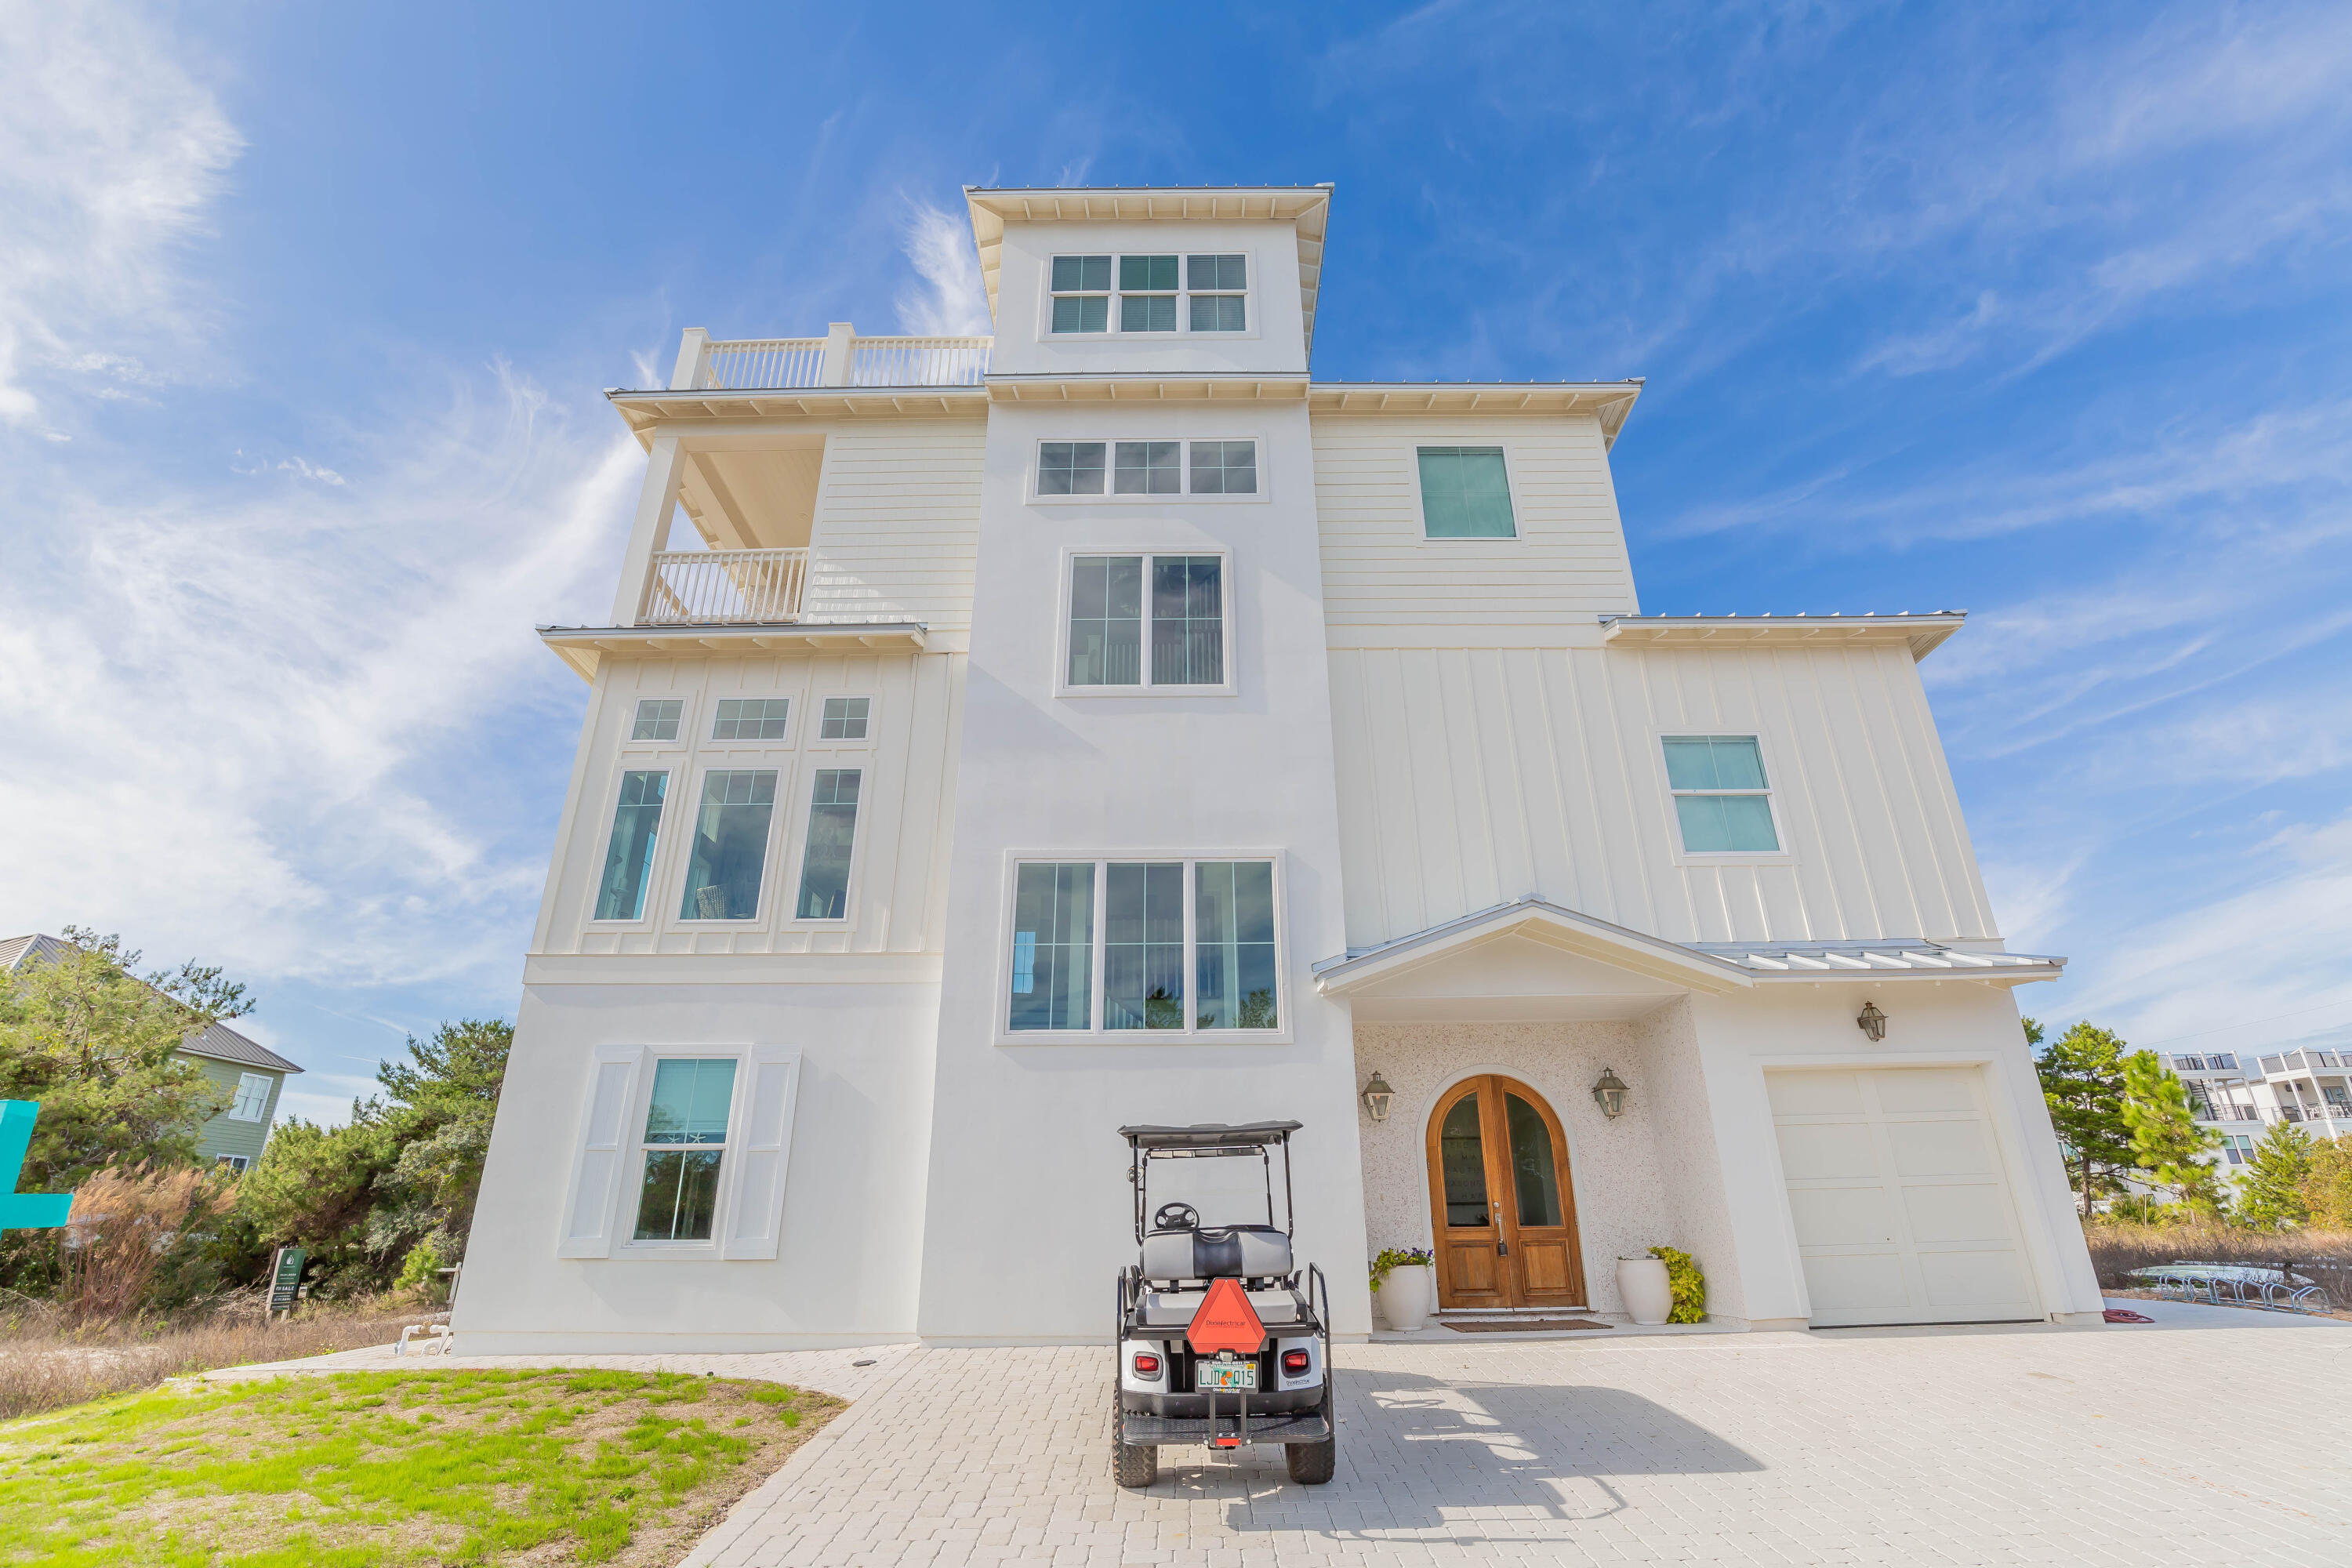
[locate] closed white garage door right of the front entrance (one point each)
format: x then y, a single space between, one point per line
1899 1198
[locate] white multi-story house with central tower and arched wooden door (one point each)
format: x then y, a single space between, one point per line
1111 723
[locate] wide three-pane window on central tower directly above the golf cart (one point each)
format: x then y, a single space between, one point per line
1144 946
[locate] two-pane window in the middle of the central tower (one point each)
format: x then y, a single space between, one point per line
1182 598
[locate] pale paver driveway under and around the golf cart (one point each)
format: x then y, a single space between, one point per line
2163 1445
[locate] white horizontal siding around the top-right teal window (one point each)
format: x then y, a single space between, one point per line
1387 584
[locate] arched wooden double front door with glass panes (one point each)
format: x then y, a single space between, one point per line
1502 1200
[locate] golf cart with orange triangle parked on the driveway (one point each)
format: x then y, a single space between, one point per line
1222 1336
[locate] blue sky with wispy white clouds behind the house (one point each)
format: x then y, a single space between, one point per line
305 319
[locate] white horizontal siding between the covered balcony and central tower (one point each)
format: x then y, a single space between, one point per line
897 525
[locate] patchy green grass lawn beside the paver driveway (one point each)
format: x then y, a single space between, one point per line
394 1468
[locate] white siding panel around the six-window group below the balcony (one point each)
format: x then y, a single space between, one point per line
897 897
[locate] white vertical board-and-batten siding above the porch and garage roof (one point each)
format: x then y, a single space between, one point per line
1474 777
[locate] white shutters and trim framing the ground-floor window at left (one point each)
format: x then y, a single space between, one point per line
749 1214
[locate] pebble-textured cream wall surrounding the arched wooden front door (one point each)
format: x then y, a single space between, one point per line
1624 1207
